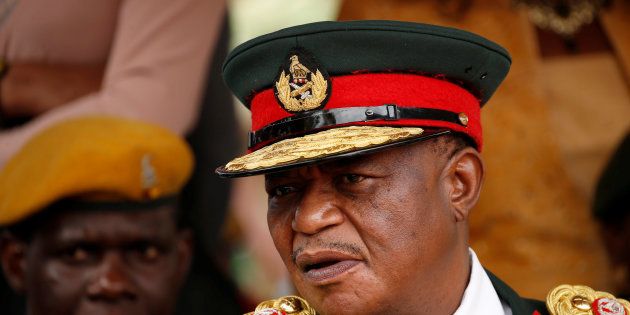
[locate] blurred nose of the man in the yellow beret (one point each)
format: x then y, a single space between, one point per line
112 280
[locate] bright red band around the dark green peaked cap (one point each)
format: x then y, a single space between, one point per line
375 89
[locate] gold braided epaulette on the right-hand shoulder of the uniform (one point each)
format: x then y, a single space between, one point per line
582 300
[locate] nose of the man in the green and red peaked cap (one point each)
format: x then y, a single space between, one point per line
317 210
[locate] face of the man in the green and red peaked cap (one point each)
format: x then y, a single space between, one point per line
369 235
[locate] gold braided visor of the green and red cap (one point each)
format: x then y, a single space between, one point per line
318 146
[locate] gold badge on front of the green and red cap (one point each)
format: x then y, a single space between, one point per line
301 85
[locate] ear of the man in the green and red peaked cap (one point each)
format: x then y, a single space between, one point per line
464 176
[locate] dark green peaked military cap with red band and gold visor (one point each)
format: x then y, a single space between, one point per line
328 90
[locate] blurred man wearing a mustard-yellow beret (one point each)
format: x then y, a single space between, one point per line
90 221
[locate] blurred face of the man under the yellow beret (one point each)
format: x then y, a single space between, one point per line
106 262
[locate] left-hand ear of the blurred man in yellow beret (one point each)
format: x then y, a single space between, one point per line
13 259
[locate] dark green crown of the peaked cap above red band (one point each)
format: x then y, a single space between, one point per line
469 60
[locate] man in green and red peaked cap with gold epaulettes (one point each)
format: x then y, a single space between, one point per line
368 134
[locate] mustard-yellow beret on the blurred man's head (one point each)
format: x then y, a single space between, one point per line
98 161
